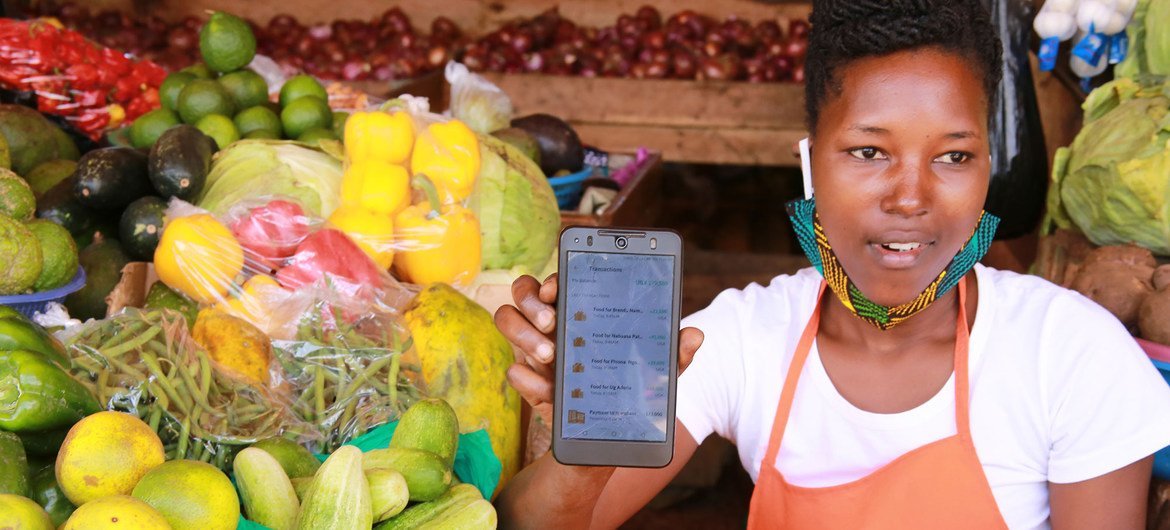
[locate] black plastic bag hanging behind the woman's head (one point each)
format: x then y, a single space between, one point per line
1020 161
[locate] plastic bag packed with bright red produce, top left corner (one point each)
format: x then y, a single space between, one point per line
93 88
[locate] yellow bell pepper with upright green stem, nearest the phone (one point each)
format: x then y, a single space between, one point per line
437 244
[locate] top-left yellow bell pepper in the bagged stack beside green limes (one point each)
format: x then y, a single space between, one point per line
380 136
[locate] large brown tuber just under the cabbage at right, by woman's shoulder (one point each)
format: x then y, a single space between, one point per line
1119 278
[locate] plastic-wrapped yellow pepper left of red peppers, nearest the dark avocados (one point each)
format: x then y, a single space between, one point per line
199 258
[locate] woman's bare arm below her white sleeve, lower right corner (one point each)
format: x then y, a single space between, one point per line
1117 500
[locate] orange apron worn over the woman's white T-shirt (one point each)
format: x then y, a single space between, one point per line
938 486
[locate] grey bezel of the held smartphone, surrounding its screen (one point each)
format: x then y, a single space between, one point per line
604 452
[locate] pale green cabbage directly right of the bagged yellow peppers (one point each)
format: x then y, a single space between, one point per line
518 211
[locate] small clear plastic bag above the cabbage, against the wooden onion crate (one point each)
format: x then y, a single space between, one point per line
478 102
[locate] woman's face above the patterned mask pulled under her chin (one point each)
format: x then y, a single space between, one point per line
901 169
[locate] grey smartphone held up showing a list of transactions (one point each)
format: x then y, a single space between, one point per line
618 347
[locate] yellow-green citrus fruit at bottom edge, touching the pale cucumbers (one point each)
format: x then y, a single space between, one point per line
191 495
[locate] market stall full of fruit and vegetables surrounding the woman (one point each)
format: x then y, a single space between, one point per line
252 252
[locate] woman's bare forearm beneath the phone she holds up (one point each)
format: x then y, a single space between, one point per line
549 495
